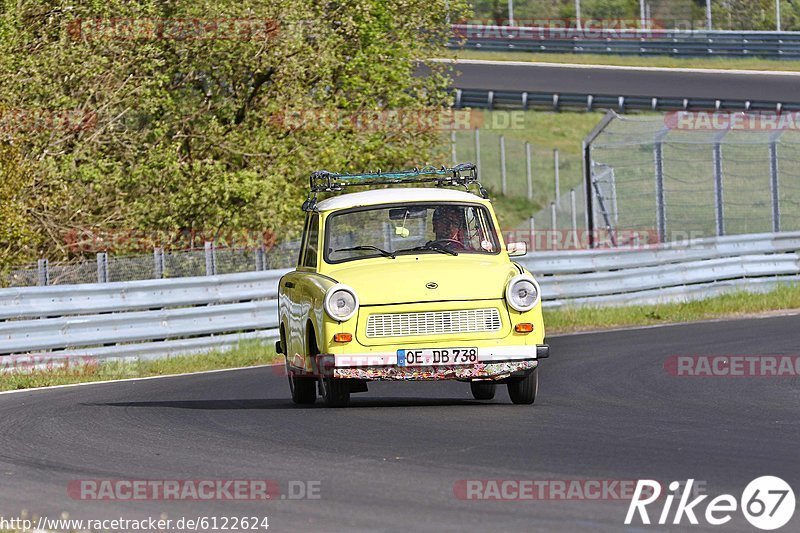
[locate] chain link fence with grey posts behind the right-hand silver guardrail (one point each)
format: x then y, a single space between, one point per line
687 175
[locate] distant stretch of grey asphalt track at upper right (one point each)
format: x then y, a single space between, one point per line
627 81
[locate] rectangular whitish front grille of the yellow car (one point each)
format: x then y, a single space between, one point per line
433 323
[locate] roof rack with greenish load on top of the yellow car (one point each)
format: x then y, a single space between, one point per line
461 175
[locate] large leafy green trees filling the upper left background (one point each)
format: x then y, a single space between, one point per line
175 132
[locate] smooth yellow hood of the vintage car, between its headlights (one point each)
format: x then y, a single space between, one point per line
410 278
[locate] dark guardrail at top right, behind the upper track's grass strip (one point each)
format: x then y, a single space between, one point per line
776 45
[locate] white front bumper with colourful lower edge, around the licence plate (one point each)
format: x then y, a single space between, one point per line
494 364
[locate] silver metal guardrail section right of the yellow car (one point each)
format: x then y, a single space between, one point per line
671 272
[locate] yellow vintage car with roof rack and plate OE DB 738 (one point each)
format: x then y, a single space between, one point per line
407 283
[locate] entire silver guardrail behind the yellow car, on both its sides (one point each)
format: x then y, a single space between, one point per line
159 318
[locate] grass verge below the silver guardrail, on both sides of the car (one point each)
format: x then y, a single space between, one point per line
557 321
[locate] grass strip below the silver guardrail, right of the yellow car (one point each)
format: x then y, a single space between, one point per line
731 305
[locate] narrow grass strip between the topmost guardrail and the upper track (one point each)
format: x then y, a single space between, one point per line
724 63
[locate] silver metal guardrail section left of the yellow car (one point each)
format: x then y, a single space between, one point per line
152 318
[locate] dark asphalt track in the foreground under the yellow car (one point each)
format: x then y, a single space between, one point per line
607 410
